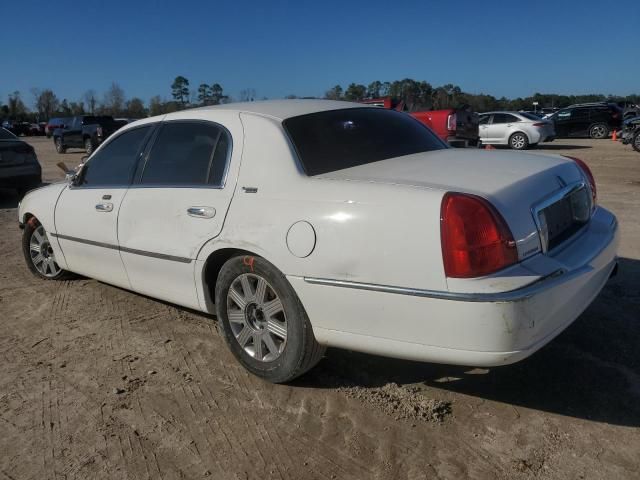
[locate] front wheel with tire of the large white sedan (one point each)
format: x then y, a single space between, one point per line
35 244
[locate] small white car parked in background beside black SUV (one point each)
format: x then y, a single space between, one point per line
518 130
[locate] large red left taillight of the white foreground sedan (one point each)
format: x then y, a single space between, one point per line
475 239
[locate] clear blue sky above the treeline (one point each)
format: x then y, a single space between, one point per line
510 48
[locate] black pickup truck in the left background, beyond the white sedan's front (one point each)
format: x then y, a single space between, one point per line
84 131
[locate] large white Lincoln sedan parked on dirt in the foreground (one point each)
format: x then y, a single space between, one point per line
304 224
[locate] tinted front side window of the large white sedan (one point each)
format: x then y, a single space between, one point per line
113 164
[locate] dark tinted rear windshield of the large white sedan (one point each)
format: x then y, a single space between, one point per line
338 139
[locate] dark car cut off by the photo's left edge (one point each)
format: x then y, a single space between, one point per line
19 167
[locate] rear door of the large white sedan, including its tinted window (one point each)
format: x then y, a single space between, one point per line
178 202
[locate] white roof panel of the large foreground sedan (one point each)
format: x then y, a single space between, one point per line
279 109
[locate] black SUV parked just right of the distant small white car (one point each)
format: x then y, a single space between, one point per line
595 120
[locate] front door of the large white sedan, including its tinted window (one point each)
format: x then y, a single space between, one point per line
86 214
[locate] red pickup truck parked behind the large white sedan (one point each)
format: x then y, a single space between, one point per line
457 127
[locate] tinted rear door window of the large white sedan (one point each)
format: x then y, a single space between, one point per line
188 153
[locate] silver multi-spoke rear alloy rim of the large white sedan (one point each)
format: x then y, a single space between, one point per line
257 318
